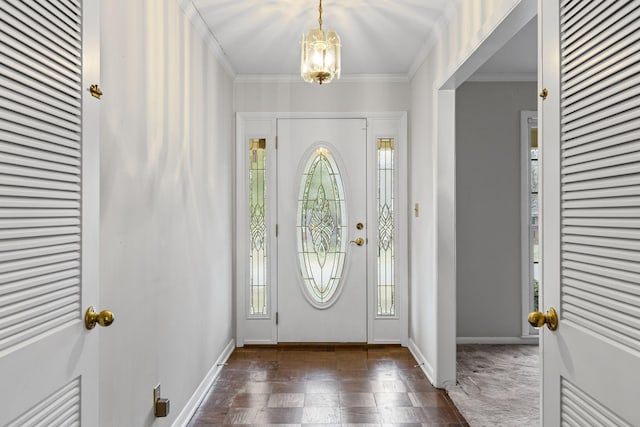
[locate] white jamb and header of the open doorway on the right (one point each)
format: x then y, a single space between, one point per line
444 364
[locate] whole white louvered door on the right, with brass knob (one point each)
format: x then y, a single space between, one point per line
591 211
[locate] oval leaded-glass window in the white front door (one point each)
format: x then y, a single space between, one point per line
321 227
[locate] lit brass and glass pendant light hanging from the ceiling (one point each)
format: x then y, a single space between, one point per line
320 54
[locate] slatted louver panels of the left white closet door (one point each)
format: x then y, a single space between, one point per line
40 180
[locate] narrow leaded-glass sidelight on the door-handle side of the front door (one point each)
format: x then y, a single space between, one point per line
386 285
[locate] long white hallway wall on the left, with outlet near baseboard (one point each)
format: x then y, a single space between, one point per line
166 209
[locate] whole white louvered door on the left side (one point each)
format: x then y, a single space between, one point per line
48 212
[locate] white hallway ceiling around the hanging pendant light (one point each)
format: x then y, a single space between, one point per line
378 36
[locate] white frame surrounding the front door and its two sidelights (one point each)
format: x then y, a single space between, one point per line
263 329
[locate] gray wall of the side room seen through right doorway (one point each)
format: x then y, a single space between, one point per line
488 207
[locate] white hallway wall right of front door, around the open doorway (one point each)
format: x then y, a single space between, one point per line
432 183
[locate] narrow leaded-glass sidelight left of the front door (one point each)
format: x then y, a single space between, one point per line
258 279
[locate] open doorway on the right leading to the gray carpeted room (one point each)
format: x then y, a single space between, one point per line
485 103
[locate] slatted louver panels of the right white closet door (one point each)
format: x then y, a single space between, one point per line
600 134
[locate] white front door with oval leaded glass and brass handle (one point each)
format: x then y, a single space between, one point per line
322 232
